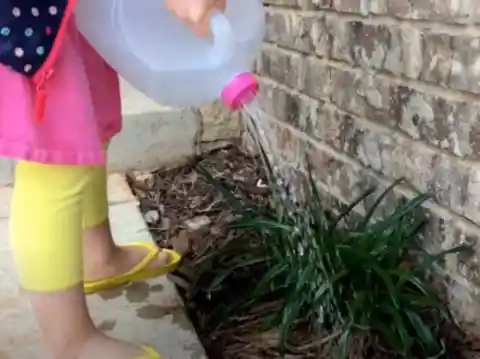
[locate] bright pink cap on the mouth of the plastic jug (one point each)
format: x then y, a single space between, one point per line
240 91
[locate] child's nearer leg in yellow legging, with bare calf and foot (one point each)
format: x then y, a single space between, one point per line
46 235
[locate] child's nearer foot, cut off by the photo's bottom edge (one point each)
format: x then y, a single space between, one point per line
101 346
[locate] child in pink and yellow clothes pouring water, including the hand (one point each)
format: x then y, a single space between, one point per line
59 108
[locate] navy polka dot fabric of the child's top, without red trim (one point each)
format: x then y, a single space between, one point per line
28 32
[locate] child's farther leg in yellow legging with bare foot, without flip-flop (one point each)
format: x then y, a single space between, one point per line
103 259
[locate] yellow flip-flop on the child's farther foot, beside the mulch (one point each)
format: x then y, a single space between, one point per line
138 273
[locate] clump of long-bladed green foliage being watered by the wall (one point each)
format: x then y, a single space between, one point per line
370 278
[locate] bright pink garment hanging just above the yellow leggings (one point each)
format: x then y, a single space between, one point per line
81 111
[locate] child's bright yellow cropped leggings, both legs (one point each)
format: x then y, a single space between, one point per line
51 205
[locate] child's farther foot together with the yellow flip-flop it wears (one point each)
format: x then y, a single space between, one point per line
129 263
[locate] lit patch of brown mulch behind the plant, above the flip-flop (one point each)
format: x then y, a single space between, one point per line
180 201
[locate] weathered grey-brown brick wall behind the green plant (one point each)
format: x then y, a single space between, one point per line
375 90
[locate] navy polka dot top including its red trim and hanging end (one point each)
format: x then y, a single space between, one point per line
31 33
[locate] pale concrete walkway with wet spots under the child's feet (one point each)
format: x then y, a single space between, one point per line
150 313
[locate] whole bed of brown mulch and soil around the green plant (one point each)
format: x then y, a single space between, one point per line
184 212
